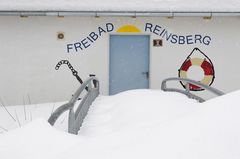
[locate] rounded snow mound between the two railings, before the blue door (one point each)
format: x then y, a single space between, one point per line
134 110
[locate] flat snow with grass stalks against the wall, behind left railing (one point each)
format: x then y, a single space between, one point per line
12 117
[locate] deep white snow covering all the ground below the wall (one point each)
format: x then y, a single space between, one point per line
135 124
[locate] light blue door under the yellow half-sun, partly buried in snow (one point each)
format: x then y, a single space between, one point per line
129 63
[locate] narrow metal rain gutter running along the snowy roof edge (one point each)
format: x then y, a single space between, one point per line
119 13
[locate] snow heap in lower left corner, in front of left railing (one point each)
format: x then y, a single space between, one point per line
37 140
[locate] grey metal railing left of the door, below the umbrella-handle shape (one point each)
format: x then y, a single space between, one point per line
76 116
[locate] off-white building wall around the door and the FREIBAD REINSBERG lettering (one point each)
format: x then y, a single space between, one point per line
30 51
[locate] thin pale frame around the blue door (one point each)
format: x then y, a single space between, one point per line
149 61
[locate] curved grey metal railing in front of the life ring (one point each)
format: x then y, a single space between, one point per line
187 90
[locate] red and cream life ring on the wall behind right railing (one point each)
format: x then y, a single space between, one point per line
205 65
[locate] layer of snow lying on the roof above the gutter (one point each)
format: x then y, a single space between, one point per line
124 5
